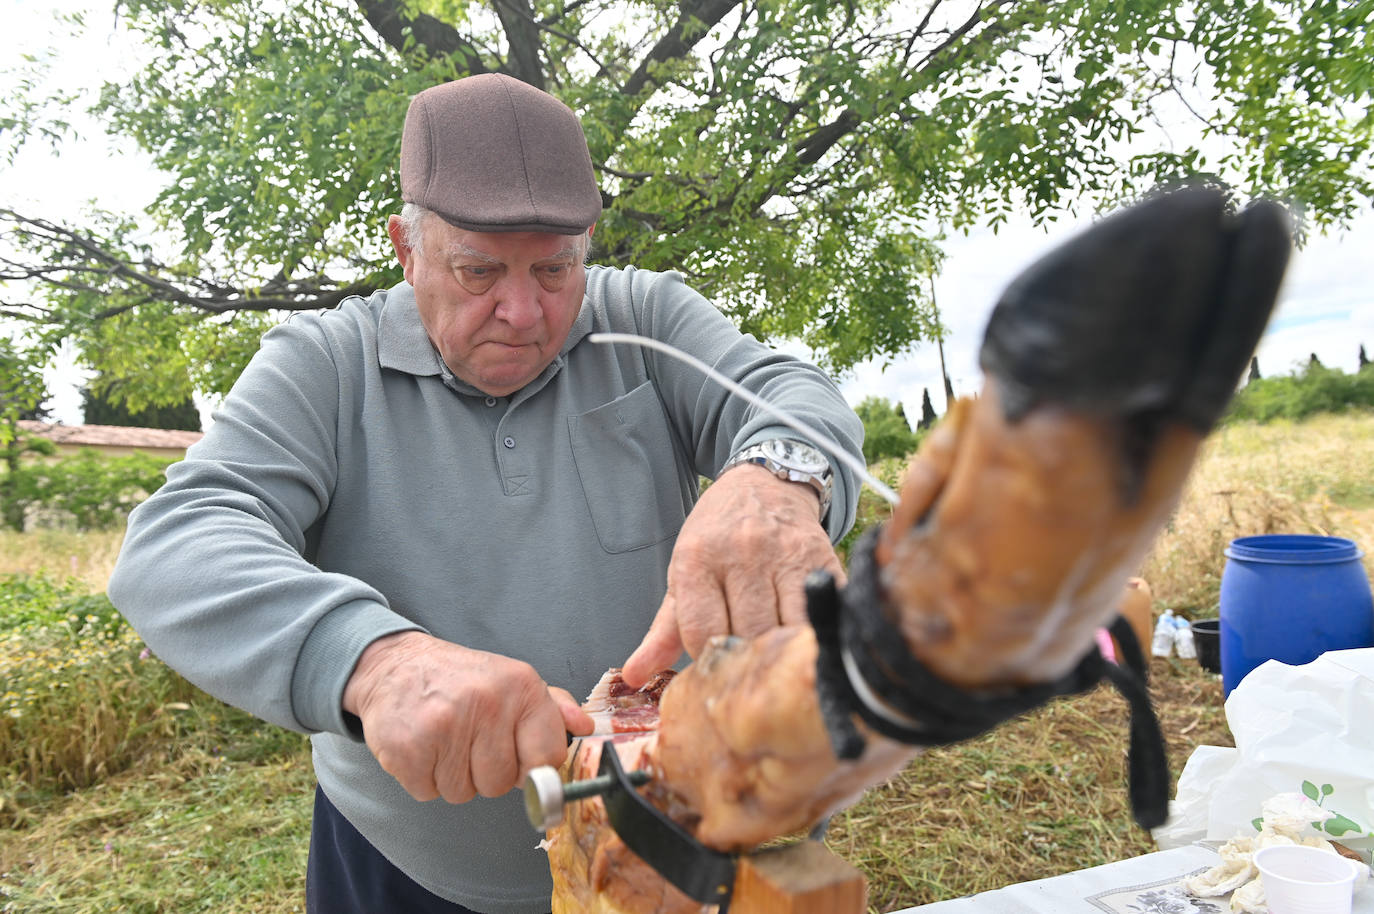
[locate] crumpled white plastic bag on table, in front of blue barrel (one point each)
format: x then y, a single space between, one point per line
1303 729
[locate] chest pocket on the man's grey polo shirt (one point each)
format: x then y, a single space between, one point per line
629 469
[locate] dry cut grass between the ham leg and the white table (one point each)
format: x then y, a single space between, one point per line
1039 796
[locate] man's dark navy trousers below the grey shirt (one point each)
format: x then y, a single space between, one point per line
348 876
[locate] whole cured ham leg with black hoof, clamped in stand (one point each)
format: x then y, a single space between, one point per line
1020 522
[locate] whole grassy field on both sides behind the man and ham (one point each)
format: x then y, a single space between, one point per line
126 790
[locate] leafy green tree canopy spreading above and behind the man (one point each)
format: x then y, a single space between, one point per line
795 159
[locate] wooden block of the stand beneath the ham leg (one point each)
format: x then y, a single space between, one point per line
800 879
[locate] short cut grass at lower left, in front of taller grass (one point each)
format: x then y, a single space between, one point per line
192 831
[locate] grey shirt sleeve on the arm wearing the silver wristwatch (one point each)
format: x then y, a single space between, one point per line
717 423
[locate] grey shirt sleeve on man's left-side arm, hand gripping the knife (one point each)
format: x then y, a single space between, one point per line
214 570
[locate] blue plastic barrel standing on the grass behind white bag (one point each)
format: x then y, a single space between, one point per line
1292 599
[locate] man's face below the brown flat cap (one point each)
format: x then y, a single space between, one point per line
497 306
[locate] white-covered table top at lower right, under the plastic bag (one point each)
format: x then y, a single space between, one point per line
1145 884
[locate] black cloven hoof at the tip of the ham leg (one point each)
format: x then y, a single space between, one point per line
1153 313
